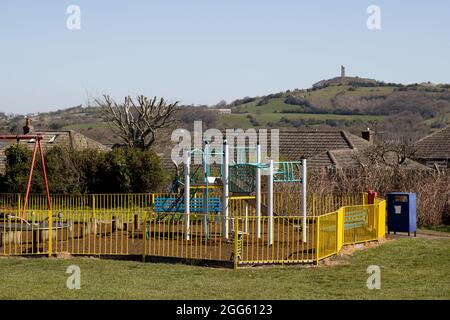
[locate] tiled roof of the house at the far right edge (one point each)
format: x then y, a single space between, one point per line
434 146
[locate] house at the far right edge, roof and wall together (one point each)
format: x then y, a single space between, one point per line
434 150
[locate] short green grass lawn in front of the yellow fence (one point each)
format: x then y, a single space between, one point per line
410 269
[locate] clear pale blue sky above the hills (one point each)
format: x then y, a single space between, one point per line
203 51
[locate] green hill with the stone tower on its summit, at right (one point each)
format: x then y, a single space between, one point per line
348 104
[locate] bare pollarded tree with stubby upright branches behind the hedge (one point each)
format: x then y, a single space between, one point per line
137 123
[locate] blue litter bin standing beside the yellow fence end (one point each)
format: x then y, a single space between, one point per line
402 216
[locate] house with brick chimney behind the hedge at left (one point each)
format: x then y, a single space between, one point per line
51 139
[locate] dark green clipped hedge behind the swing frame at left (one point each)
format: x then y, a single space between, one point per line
121 170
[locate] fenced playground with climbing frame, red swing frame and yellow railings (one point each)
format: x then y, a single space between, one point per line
225 212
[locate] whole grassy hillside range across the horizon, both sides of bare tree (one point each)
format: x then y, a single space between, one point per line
350 103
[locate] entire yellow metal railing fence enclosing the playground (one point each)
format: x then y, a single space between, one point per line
127 225
